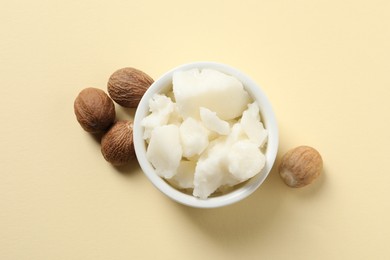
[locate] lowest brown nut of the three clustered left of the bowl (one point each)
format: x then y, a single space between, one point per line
117 144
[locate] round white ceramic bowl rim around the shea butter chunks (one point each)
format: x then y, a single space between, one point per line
162 85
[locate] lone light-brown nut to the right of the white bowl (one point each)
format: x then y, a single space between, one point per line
300 166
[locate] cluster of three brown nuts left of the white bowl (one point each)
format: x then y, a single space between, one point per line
95 111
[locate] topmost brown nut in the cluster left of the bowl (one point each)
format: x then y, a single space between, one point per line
126 86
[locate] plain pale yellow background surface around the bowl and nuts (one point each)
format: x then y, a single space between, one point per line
323 64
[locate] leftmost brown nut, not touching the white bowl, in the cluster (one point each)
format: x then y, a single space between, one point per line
94 109
